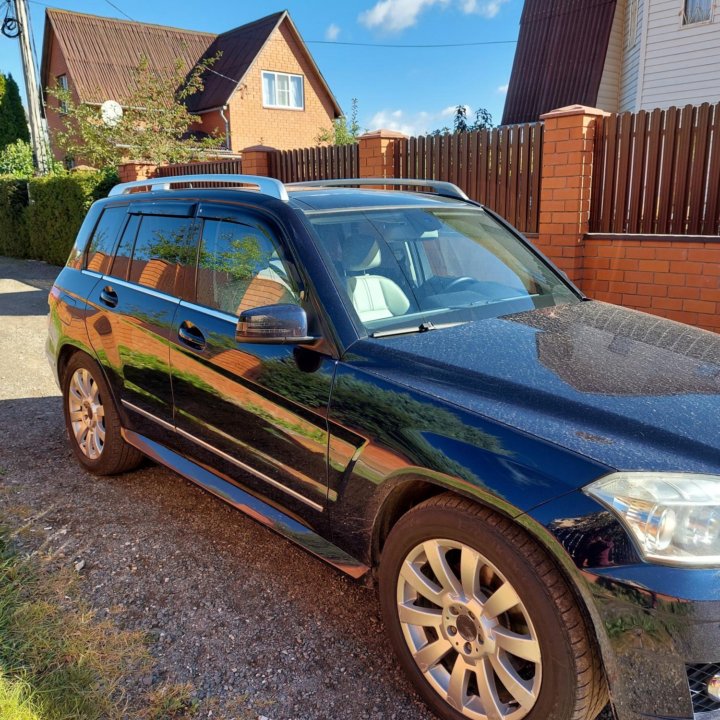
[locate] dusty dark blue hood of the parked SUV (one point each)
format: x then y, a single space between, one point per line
627 389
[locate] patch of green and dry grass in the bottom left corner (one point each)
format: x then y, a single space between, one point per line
57 660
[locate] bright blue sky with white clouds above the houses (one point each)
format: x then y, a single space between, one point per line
410 89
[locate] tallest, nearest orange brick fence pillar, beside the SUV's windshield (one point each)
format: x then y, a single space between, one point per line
568 144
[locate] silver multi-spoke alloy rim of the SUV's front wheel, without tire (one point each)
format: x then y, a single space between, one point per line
468 631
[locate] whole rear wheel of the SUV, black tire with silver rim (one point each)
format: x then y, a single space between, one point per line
92 421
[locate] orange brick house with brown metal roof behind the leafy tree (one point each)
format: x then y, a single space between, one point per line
265 88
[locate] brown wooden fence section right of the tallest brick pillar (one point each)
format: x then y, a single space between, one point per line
658 172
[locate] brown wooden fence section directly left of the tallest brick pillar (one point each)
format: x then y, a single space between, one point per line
500 168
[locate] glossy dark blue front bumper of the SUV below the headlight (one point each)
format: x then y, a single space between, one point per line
657 644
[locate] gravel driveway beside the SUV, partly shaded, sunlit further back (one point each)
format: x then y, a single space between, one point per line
252 622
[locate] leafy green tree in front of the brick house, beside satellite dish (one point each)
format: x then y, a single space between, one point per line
154 125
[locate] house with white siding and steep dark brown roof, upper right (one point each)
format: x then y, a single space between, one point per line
616 55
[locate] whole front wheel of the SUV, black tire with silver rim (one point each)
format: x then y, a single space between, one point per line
458 584
